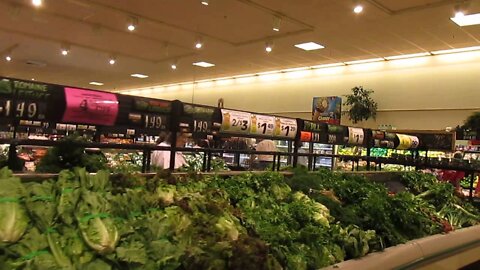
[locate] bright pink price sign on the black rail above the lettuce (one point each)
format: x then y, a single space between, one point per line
90 107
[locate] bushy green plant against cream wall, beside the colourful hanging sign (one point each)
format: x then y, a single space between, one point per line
361 105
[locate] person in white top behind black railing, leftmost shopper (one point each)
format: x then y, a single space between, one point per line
161 158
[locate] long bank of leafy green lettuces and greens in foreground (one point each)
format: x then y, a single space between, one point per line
249 221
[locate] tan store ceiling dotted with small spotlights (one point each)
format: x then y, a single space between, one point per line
234 33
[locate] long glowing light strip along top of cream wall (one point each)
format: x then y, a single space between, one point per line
323 66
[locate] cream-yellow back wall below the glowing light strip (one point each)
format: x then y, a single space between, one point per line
432 92
